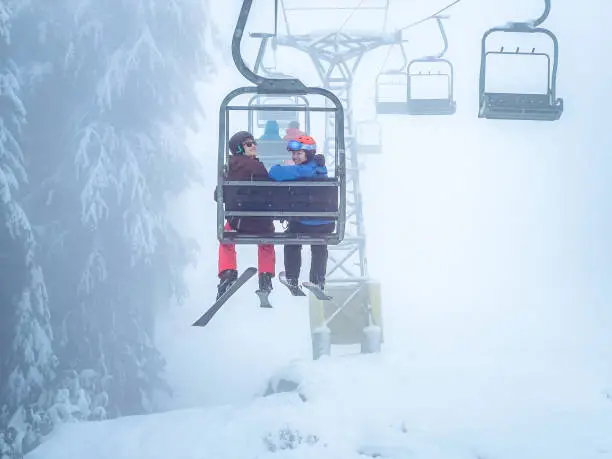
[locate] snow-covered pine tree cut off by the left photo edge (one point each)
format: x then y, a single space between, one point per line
27 360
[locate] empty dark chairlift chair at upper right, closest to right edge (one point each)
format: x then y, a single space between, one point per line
521 106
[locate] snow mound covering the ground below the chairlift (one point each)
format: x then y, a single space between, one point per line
365 406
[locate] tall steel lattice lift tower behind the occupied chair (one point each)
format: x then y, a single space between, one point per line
336 56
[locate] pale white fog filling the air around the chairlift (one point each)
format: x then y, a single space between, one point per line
490 238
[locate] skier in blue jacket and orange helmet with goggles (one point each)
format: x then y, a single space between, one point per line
304 164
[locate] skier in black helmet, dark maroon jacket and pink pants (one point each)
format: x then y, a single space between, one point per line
244 165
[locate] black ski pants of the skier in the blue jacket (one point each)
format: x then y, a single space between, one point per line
318 252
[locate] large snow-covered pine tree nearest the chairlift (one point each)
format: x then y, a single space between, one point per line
111 94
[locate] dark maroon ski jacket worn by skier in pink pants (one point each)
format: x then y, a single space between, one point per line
246 168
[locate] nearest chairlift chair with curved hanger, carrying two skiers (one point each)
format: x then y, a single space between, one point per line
279 200
